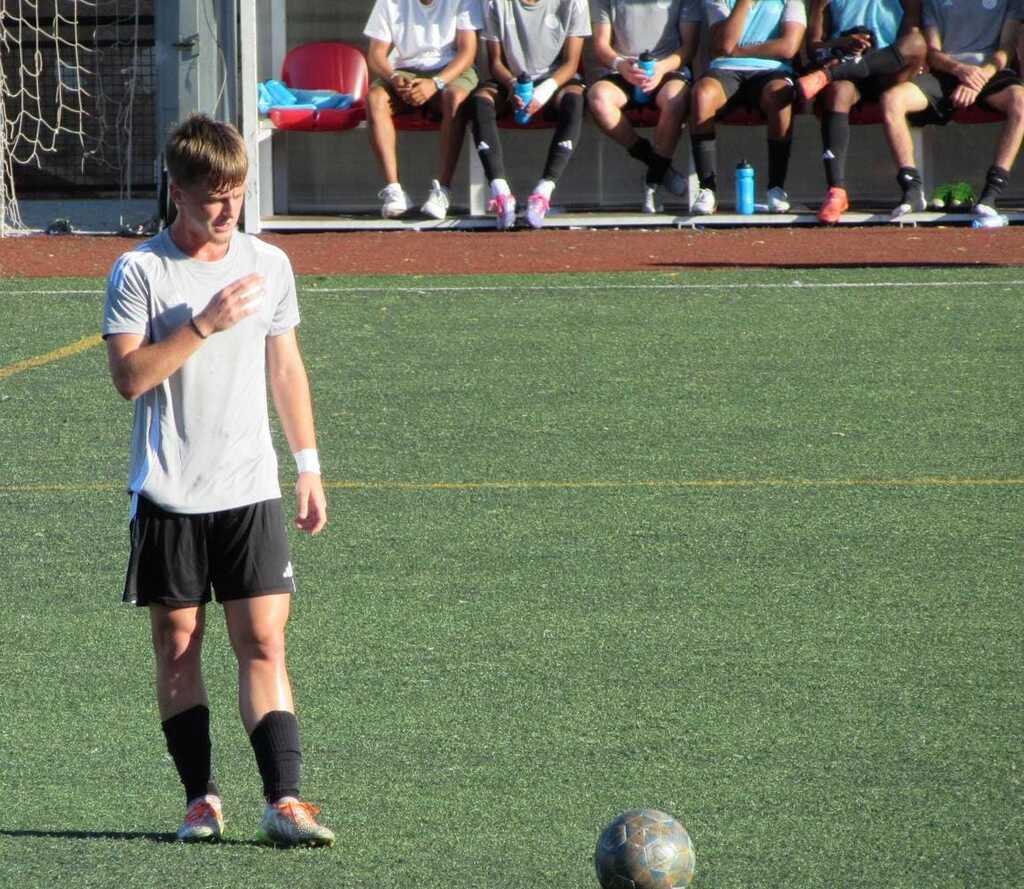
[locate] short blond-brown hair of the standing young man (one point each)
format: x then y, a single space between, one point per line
204 152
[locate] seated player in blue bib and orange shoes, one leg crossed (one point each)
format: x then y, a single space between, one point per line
863 49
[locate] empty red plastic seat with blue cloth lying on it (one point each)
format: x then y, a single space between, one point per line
330 65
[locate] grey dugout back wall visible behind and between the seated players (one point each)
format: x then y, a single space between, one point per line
336 173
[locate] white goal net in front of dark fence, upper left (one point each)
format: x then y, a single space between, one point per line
77 102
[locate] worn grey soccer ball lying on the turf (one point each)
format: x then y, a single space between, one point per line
645 850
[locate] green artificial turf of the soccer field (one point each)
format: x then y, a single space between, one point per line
743 546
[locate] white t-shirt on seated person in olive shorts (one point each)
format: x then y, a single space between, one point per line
423 35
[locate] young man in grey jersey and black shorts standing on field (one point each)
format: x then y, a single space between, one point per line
196 321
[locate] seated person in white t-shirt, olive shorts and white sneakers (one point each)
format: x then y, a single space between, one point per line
421 57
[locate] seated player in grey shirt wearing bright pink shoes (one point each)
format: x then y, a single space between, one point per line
544 40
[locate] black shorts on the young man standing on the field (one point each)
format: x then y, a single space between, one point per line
185 561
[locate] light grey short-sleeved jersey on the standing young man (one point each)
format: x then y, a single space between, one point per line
201 440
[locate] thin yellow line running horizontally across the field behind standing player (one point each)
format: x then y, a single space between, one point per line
540 485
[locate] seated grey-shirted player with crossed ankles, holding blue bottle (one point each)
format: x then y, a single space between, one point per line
670 33
